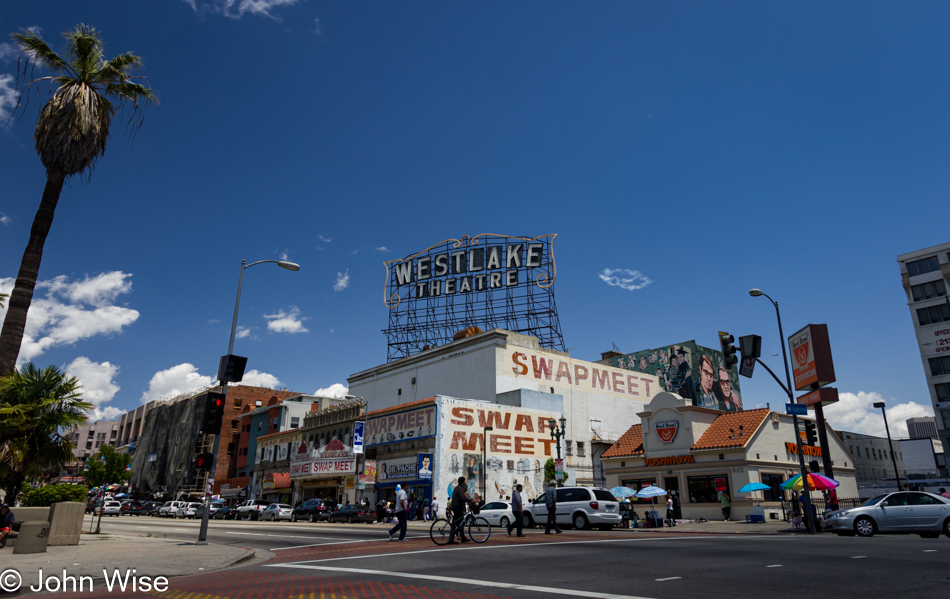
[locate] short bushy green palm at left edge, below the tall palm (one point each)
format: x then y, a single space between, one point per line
35 405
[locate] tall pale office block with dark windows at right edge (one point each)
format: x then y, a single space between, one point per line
925 275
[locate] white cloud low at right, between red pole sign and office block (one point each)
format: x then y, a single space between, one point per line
855 413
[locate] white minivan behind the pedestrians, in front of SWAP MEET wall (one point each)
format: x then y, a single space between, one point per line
580 507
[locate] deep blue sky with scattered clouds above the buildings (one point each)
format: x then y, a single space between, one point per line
711 147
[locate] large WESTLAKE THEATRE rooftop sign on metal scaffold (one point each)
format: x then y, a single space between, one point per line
486 281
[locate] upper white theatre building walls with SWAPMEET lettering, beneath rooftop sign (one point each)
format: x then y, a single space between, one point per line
599 401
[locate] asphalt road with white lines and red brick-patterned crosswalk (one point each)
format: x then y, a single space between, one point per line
357 561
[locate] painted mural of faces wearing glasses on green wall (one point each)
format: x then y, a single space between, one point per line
689 370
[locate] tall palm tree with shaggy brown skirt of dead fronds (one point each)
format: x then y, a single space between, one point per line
70 136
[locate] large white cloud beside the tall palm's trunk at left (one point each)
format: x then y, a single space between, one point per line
72 311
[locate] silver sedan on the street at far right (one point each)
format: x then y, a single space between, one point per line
902 512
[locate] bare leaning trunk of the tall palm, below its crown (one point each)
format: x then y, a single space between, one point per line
19 304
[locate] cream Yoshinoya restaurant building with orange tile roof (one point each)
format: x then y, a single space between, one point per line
697 453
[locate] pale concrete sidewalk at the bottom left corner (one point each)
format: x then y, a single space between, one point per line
149 556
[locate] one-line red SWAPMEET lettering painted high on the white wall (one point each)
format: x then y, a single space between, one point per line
556 370
